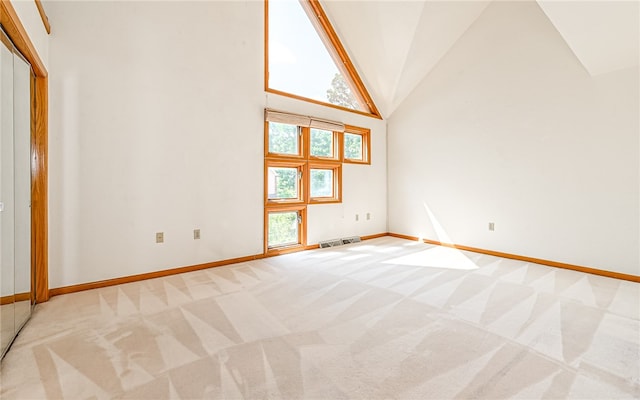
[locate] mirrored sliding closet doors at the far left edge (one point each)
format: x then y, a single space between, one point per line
16 282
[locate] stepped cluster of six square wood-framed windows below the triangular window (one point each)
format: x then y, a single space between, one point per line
303 166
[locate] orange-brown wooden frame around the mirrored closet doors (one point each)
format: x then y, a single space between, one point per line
39 150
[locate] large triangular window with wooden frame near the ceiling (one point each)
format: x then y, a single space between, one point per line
305 58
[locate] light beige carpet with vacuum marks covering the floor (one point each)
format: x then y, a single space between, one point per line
382 319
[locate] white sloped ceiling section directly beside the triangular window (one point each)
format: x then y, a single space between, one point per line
395 43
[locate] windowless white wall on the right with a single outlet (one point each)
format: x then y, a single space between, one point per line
509 128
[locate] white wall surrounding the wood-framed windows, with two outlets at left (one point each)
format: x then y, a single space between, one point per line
156 124
